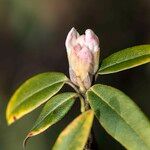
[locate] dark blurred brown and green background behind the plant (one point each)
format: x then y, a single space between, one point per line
32 36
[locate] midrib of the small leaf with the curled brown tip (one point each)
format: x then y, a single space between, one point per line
71 97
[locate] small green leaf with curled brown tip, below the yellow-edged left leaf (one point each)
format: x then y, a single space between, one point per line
54 110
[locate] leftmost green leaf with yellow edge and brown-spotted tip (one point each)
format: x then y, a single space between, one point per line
33 93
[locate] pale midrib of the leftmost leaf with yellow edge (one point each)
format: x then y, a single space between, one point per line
34 94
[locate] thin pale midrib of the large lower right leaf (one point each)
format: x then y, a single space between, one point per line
121 117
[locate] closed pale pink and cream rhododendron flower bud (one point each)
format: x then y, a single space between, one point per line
83 56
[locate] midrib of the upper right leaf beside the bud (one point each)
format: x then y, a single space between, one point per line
123 61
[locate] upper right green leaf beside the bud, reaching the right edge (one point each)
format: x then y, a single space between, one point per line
125 59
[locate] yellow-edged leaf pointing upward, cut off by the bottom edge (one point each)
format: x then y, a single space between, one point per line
75 135
